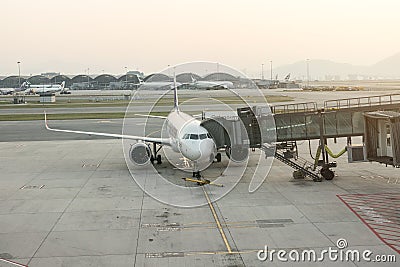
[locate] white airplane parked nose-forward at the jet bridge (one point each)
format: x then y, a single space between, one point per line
185 136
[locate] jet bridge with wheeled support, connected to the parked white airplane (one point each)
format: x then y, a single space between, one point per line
305 121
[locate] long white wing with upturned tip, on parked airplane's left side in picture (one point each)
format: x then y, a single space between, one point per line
164 141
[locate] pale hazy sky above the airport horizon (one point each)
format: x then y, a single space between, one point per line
71 36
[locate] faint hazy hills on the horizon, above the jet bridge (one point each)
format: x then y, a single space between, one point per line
320 69
